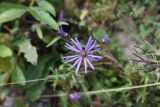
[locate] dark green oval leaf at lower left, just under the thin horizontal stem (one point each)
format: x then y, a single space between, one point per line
35 92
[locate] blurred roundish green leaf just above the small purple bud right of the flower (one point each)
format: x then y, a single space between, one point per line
99 33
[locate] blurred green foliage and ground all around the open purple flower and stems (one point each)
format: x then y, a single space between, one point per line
31 48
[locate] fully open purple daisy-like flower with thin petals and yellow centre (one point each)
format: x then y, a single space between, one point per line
82 54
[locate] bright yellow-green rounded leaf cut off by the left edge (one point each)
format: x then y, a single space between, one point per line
5 51
